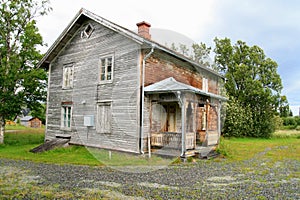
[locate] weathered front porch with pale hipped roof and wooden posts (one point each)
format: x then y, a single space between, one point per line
182 120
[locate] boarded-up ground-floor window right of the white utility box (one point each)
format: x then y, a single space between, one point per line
103 118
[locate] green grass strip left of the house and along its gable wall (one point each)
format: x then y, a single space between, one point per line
17 146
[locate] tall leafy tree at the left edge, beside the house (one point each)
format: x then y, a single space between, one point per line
21 83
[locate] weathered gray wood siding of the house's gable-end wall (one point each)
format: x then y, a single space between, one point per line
123 92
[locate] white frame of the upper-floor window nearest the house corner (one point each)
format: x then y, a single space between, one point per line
106 57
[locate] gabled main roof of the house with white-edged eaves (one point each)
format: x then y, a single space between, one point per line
83 14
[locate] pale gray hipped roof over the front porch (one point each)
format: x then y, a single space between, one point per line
171 85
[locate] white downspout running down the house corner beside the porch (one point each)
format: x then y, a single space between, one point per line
143 103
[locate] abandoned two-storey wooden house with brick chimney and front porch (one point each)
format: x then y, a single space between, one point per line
112 88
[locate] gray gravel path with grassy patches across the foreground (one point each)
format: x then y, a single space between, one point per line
252 179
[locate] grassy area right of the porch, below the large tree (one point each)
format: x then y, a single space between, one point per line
283 145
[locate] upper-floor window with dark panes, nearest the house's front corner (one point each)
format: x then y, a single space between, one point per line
106 68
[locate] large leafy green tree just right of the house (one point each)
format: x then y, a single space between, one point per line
252 80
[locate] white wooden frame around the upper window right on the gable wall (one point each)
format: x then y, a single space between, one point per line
103 69
